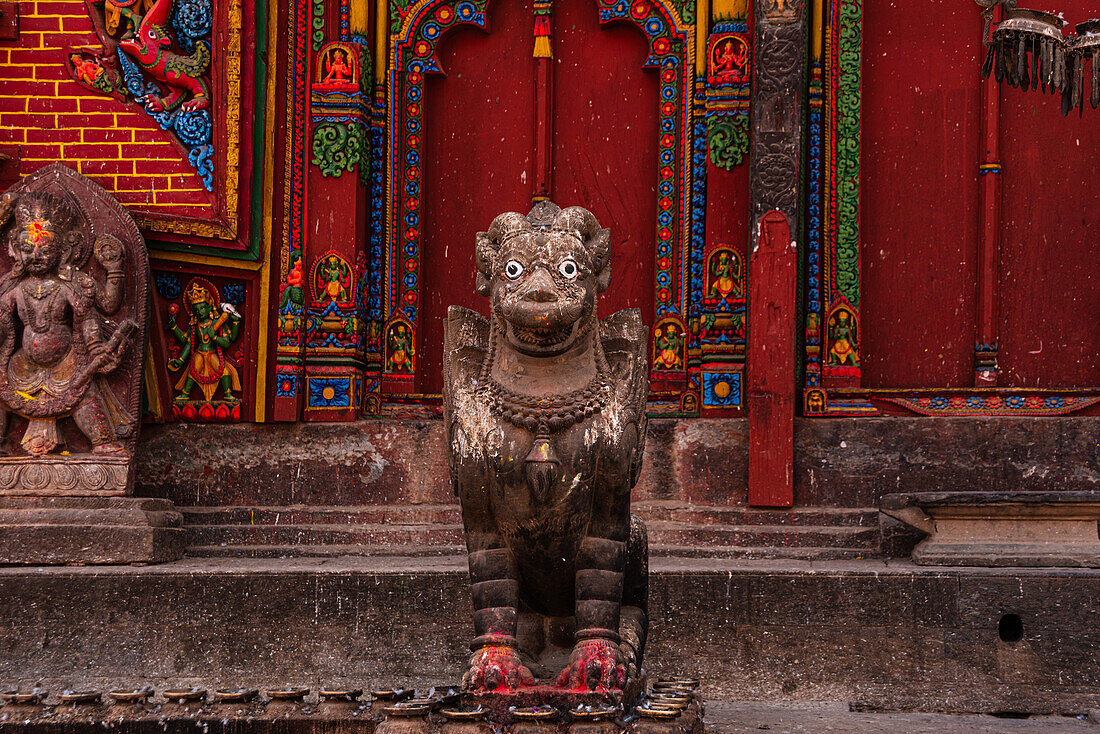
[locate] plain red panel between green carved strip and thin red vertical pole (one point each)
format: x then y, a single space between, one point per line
920 195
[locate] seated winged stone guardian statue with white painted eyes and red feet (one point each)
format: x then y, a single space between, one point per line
545 408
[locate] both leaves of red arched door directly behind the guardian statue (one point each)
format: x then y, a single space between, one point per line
479 152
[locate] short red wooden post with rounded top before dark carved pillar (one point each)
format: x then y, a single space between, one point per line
771 370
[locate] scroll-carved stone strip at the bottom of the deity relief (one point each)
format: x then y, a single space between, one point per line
81 475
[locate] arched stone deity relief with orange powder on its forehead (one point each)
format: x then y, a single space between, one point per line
73 309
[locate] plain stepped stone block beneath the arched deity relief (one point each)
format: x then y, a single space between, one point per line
57 531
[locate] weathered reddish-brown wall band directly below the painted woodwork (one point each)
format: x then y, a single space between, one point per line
840 463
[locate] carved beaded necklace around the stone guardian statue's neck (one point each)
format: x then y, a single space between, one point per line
544 415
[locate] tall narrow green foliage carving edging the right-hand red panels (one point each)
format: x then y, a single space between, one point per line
850 89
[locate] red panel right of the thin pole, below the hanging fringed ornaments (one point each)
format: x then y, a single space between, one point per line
1050 284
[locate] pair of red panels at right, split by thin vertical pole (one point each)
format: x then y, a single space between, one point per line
921 199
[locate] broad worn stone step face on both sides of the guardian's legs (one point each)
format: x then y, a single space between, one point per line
873 634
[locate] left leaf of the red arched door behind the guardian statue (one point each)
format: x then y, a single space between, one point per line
479 119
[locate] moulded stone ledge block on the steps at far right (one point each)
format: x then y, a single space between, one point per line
1003 529
